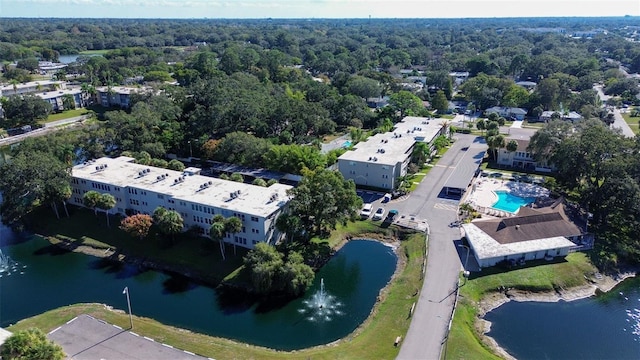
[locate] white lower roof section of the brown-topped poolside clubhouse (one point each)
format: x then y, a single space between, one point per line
485 247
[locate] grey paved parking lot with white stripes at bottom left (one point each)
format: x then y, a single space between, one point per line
86 337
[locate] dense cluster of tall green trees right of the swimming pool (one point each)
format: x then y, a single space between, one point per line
600 169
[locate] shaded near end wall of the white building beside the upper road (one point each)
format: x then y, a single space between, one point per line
381 176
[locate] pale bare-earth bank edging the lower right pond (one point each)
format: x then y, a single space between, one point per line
496 299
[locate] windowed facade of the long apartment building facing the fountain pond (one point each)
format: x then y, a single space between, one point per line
131 199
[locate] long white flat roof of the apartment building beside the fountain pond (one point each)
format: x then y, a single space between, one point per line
255 200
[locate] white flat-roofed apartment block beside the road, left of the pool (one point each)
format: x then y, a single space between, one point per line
380 160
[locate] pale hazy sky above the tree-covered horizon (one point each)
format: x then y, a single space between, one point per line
237 9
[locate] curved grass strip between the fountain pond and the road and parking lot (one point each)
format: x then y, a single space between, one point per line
373 340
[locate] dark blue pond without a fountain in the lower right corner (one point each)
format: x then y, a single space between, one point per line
606 326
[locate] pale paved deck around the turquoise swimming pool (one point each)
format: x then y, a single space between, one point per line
483 194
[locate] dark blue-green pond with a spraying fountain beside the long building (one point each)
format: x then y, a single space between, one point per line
46 277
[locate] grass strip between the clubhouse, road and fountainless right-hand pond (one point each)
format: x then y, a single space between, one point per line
463 342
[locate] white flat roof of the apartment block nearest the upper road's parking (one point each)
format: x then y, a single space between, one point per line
394 146
